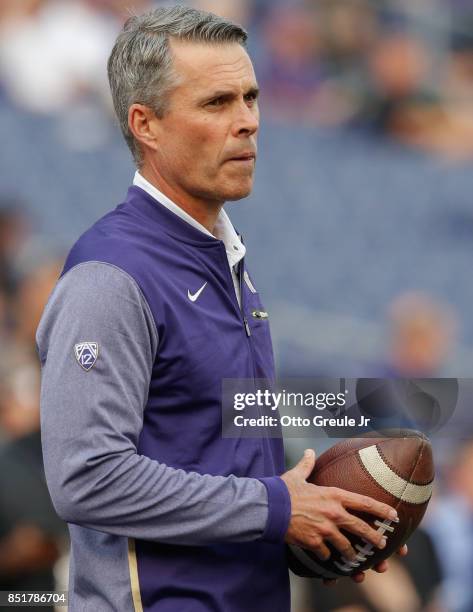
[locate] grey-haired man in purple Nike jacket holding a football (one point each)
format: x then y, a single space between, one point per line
152 311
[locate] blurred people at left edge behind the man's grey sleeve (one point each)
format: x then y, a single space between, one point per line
32 537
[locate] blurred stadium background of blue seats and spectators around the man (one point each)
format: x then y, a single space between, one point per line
359 233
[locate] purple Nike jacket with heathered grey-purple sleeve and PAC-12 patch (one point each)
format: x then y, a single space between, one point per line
164 513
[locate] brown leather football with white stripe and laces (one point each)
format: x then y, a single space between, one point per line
396 469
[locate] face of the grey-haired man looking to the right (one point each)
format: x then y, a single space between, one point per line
206 140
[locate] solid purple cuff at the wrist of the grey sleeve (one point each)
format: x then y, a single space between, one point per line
279 509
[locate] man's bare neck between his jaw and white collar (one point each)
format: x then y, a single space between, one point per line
203 211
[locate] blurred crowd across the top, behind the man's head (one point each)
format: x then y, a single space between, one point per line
398 68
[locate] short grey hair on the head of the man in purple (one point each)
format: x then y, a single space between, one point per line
140 65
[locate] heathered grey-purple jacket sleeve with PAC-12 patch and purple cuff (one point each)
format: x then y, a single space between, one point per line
92 416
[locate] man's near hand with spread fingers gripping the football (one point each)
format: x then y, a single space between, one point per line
318 514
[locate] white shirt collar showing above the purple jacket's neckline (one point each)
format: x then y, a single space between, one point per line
223 230
